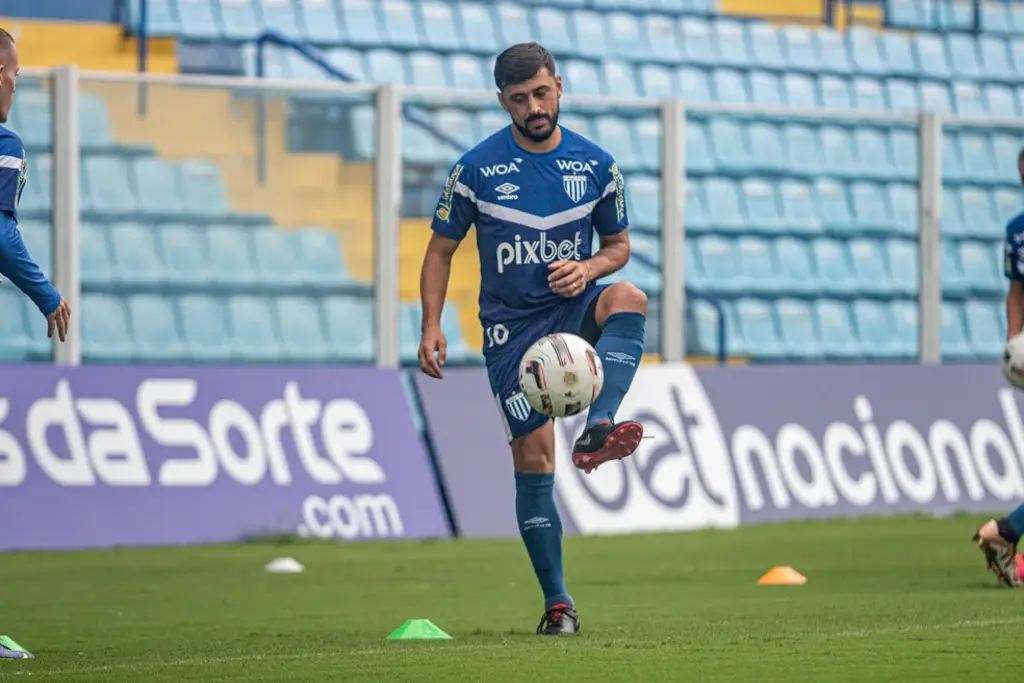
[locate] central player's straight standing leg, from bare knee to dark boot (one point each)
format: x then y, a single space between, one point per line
541 526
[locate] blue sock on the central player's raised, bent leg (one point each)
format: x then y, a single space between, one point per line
620 349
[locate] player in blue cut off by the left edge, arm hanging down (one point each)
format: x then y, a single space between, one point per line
16 264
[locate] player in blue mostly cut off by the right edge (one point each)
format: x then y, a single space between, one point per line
998 538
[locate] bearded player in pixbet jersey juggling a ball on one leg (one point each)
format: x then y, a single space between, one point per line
537 193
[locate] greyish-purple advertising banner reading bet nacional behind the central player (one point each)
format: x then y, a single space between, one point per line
733 446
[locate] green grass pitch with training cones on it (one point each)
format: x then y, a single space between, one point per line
900 600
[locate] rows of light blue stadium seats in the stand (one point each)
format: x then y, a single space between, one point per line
803 227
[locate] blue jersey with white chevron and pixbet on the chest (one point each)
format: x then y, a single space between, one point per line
530 210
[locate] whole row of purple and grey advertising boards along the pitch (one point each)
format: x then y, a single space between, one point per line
104 456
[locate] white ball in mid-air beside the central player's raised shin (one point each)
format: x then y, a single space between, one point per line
561 375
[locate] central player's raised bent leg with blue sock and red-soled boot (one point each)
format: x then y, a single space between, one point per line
621 315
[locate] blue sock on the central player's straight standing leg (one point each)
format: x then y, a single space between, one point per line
541 529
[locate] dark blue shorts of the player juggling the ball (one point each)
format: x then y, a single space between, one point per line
505 345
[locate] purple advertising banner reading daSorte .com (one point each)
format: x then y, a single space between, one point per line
105 456
